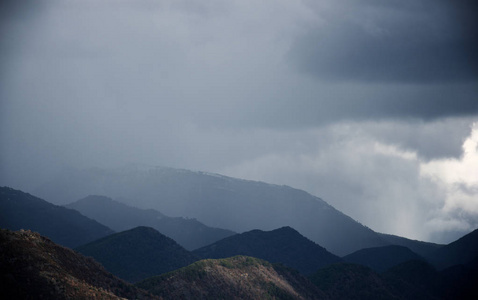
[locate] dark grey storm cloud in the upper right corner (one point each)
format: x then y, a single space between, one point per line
396 41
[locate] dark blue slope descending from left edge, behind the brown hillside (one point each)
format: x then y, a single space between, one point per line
19 210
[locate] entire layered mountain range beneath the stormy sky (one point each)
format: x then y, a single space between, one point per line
177 239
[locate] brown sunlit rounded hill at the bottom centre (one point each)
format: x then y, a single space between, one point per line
234 278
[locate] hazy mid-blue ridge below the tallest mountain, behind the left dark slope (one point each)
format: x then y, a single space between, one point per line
189 233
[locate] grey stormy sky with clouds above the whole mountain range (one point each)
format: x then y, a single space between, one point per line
370 105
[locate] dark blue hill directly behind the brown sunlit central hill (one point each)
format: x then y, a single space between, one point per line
284 245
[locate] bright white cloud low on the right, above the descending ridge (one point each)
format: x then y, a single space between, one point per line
382 185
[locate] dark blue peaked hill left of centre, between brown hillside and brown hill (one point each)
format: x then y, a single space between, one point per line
138 253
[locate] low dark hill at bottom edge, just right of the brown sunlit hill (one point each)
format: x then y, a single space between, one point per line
350 281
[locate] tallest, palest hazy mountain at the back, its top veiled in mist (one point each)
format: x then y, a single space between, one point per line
221 202
